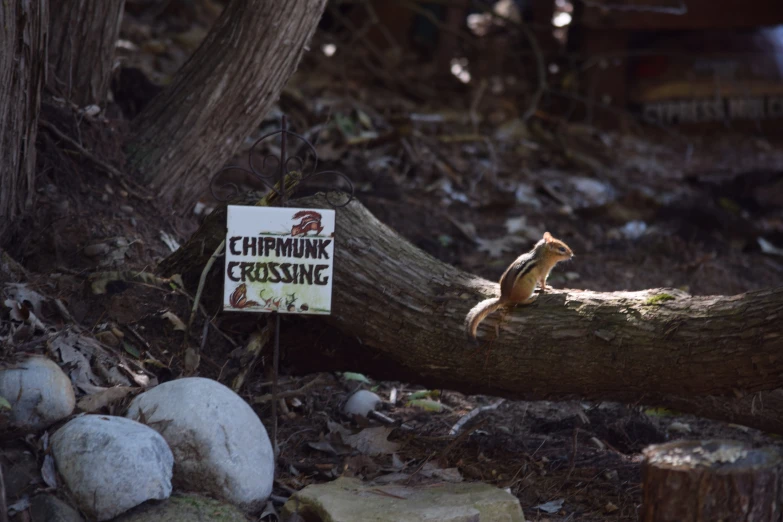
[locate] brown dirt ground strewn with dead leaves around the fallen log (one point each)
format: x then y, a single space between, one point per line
643 208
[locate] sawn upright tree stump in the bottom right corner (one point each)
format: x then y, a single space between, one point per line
700 481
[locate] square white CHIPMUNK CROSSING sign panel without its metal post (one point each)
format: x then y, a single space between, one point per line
279 260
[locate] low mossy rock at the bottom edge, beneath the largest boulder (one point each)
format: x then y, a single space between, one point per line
184 508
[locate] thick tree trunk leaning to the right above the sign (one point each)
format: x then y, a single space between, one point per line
220 95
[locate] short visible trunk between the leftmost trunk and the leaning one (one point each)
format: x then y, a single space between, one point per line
81 48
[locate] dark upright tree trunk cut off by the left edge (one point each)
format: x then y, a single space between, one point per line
23 33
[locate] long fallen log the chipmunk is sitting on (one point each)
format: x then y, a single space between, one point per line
718 356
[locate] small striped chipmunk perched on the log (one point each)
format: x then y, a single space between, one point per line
519 280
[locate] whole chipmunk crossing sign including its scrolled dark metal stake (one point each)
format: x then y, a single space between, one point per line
257 235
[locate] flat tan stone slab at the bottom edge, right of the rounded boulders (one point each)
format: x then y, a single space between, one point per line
350 500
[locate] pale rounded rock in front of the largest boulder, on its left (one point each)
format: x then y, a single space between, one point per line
111 464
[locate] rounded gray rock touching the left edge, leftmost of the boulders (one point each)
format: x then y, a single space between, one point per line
39 392
